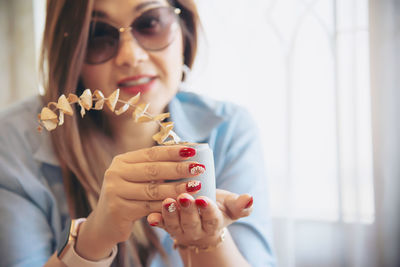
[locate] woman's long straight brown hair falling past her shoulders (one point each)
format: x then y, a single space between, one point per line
81 144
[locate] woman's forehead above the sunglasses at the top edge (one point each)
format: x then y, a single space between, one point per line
123 9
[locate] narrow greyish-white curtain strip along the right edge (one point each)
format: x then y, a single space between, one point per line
385 77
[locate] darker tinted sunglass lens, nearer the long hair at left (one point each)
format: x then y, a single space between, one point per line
102 43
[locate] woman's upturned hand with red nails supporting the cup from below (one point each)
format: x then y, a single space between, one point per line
200 222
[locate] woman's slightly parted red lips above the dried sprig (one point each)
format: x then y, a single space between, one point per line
137 84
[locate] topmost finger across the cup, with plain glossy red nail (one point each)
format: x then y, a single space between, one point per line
158 153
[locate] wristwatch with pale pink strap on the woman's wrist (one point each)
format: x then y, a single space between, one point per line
66 249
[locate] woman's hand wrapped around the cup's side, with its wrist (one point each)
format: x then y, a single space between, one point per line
134 187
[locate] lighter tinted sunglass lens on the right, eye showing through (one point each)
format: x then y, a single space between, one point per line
154 29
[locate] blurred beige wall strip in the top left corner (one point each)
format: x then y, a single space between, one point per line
17 51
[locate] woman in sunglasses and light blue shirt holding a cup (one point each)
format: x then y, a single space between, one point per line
101 167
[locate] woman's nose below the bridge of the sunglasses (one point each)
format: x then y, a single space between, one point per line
130 53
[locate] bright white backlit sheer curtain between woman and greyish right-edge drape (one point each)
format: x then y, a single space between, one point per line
302 68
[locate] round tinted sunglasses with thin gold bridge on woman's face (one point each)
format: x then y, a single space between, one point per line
154 30
